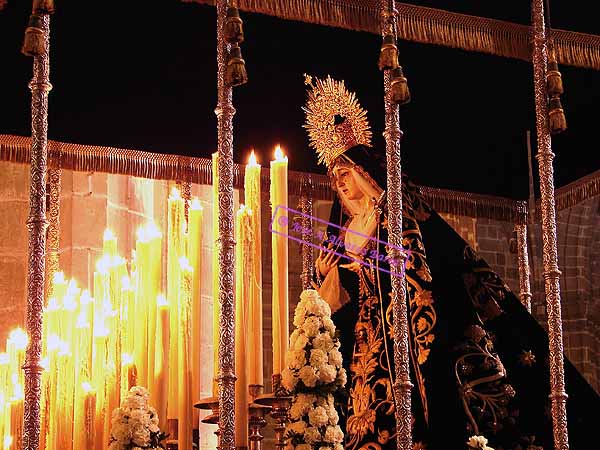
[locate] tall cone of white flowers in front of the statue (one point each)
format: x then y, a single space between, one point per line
312 375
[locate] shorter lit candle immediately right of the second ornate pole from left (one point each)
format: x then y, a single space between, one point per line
243 279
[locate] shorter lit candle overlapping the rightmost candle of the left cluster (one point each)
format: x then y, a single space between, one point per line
184 371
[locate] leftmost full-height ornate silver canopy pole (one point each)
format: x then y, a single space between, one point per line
36 224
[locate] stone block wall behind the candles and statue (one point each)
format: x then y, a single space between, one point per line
91 202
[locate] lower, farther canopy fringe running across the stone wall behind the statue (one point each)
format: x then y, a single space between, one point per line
159 166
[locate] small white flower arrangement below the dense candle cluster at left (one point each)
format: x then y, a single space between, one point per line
134 425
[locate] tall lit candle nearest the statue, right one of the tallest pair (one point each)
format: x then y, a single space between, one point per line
279 259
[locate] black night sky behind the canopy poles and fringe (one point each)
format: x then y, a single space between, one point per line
142 75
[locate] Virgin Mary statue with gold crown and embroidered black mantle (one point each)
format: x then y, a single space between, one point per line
479 360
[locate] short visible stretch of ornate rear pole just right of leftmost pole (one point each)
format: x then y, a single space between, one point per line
53 236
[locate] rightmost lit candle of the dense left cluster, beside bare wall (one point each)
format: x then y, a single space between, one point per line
194 255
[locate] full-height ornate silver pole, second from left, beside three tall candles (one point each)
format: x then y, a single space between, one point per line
226 244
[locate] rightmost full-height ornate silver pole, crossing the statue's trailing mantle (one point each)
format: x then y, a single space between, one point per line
550 253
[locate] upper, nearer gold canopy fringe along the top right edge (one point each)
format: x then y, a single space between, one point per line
433 26
